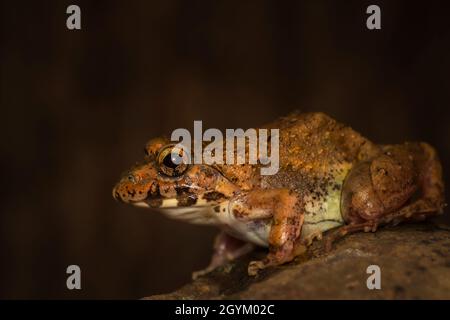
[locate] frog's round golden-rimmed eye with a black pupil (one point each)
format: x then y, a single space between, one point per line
172 161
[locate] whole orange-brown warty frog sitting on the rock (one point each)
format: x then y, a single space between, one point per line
331 181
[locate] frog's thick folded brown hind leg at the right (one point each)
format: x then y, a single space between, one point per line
381 191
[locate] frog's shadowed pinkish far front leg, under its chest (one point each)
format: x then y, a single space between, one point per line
226 248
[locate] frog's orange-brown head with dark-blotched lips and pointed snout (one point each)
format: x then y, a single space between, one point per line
172 185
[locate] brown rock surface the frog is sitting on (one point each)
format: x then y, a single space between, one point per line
414 261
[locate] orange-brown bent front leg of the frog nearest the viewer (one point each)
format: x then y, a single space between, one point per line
284 208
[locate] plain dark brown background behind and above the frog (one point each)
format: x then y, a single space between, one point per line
78 106
